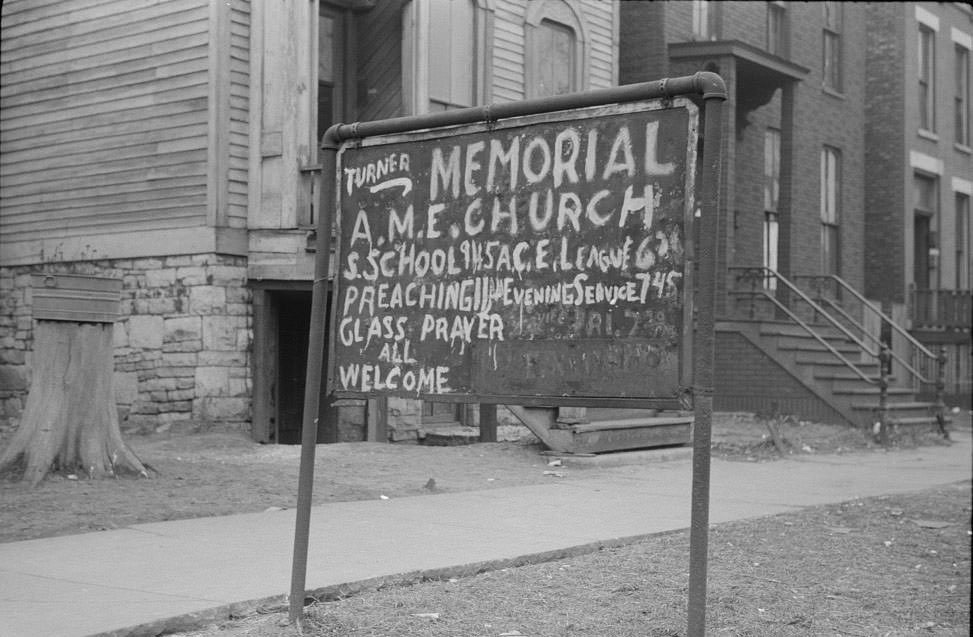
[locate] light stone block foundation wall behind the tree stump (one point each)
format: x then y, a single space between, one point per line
182 341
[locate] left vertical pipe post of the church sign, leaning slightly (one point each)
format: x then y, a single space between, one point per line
317 340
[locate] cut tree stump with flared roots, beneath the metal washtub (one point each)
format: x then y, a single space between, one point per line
70 422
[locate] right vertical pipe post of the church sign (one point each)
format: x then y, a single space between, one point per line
705 357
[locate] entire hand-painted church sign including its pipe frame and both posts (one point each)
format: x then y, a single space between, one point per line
534 253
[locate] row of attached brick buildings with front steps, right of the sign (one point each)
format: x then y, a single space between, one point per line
818 188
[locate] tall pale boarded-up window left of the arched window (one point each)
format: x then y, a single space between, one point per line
452 68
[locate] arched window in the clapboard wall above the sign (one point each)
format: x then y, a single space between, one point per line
555 48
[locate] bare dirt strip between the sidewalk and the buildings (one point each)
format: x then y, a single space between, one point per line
206 474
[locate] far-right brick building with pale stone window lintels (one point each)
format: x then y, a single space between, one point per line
919 175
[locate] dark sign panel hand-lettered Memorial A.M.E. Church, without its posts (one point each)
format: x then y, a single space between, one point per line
539 259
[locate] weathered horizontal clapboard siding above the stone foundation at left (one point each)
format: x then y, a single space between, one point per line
106 115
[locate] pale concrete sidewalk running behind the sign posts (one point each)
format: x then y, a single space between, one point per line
151 578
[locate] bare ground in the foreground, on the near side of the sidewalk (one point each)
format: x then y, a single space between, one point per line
885 566
